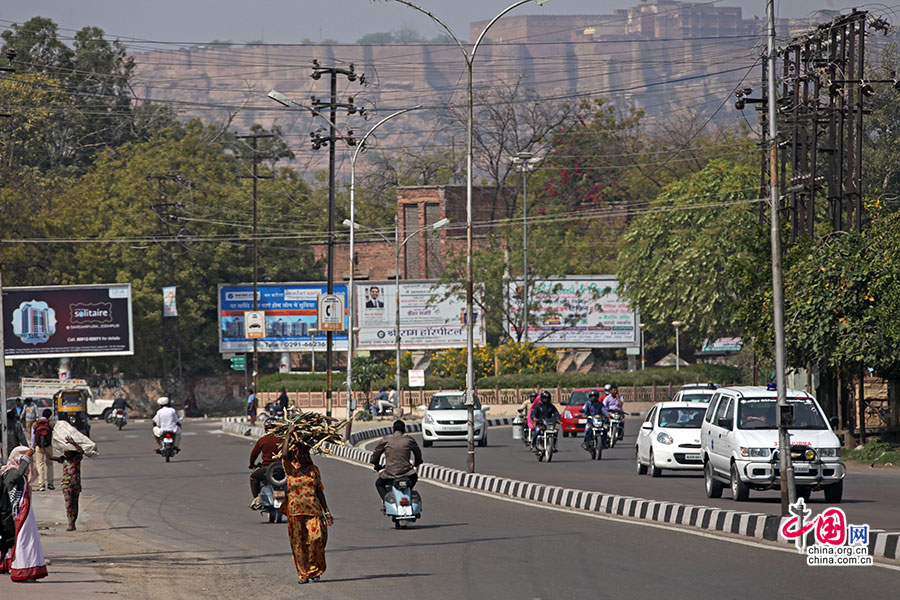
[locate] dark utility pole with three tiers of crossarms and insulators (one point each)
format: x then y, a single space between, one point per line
331 141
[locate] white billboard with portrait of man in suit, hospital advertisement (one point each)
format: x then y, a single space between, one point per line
430 316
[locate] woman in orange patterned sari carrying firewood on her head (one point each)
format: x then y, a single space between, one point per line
306 509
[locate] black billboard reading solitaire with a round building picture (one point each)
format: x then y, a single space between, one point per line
66 321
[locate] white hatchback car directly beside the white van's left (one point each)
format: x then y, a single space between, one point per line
669 438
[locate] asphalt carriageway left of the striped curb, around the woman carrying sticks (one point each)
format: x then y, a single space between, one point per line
183 530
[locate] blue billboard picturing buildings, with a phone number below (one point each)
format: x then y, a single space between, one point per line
290 316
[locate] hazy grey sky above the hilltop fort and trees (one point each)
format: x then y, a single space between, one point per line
290 21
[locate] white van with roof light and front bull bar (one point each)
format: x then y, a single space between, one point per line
739 441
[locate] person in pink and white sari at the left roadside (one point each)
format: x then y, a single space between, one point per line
24 557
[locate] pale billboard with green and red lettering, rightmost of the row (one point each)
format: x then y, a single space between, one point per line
575 312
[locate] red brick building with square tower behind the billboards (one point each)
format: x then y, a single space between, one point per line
425 255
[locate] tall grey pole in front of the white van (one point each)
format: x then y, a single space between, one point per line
783 418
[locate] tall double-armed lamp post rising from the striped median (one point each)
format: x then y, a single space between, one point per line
469 56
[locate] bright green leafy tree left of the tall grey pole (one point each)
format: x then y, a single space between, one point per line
679 259
